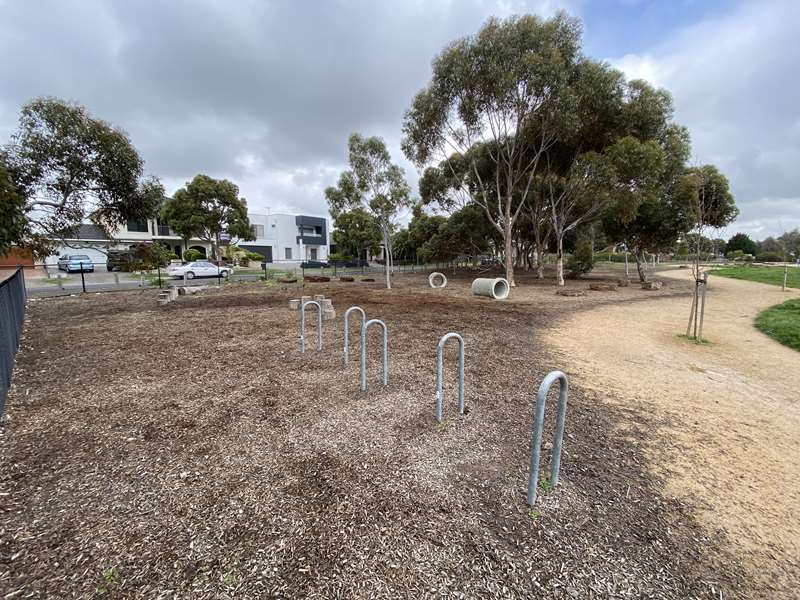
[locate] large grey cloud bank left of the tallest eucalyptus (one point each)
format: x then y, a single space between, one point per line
202 86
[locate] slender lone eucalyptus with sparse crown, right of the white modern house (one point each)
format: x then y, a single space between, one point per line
374 184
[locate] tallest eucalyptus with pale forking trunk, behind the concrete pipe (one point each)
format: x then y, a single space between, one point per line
498 97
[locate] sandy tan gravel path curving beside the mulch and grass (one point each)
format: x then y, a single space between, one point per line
732 444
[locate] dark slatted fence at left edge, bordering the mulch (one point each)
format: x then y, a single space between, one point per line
12 315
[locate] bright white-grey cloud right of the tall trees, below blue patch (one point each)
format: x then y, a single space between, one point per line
733 85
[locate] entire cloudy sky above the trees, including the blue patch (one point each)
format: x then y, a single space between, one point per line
266 93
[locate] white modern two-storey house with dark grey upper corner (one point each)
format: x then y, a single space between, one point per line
282 238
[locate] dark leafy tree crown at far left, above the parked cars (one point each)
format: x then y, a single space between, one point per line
69 167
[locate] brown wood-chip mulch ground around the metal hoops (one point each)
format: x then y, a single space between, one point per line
192 451
